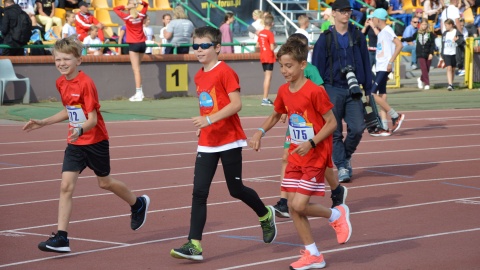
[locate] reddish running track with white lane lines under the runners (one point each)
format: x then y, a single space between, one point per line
414 200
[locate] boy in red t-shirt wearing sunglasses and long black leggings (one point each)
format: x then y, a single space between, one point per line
221 137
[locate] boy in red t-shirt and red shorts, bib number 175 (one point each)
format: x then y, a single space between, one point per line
311 123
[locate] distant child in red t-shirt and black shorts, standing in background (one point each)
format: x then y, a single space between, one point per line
266 42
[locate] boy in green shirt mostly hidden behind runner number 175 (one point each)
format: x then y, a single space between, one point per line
339 193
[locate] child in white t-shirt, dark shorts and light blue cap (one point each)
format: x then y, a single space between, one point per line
388 48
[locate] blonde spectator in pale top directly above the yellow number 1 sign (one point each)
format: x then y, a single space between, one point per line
179 31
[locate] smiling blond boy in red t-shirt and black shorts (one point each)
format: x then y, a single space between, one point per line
87 142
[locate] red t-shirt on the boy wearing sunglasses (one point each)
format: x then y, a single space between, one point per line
213 88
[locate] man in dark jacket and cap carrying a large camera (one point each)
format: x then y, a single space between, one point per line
346 47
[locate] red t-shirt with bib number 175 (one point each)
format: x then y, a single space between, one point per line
305 109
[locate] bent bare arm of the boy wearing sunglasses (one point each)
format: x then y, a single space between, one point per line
232 108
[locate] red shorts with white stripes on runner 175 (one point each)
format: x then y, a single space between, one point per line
309 181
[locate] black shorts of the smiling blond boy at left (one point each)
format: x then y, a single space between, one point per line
95 156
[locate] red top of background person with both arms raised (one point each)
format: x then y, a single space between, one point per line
134 27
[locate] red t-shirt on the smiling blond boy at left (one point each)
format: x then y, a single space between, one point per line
80 97
